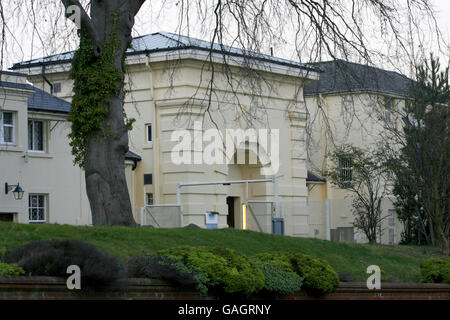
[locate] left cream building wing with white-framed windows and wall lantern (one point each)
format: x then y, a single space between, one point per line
35 154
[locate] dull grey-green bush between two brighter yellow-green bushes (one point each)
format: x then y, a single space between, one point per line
279 281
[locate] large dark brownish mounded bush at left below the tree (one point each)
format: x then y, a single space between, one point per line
52 257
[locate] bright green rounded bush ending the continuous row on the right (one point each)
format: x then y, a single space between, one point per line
318 276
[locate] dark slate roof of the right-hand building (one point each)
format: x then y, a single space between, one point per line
341 76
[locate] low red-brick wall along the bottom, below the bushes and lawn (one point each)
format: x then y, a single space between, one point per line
50 288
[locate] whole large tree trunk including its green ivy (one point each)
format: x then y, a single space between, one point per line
99 136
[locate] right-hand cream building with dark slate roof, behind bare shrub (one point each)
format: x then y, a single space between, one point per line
350 104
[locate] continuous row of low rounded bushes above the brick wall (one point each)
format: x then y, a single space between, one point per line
214 269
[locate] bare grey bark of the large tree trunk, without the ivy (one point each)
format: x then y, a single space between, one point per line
104 160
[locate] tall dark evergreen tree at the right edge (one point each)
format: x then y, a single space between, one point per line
422 165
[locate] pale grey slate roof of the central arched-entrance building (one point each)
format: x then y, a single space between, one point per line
165 42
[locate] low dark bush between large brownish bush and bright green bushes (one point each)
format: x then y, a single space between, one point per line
161 267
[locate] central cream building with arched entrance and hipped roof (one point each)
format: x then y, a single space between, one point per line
169 78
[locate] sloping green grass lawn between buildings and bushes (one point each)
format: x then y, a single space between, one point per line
398 263
